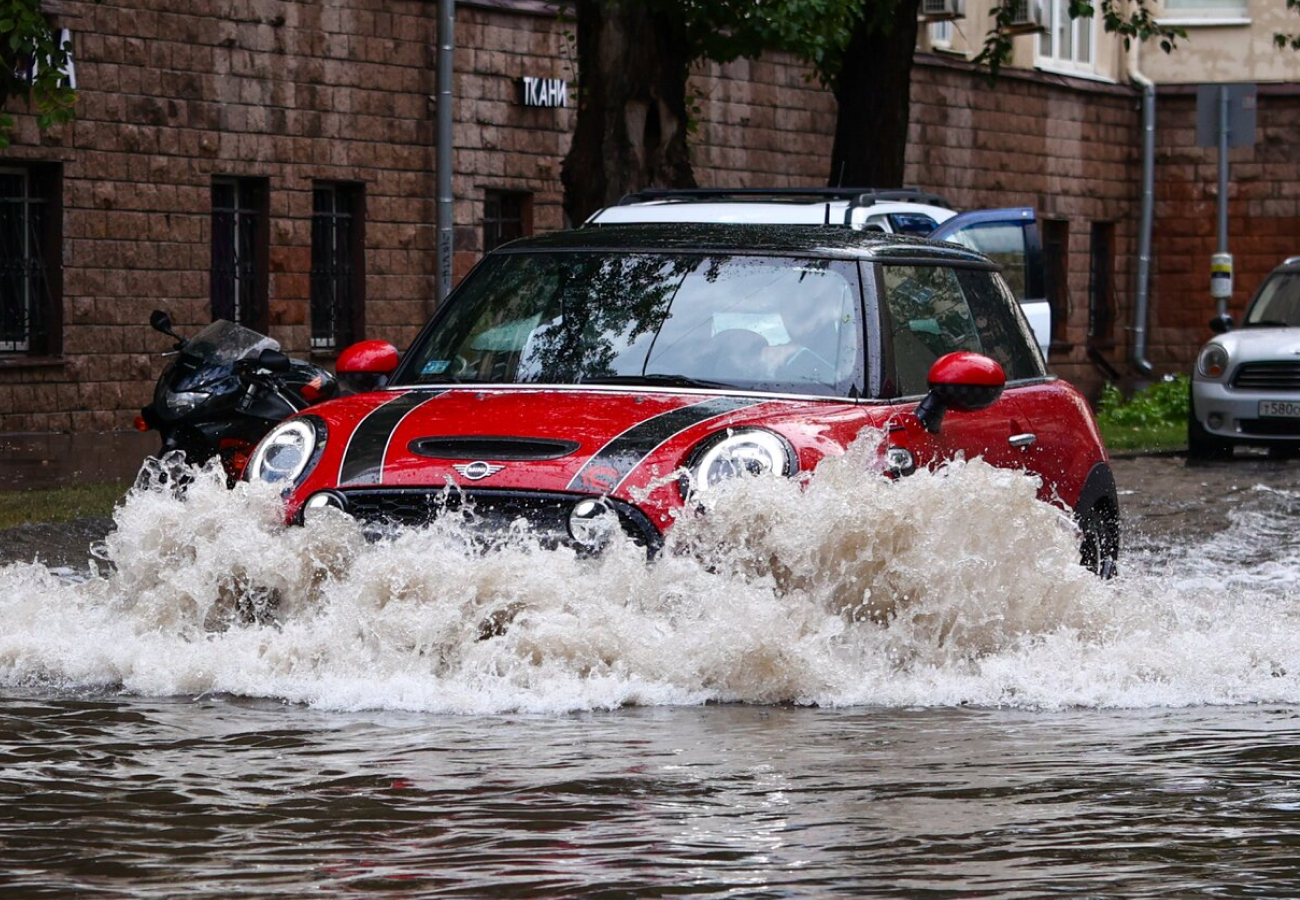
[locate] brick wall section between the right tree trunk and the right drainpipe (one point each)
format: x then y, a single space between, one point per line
1065 146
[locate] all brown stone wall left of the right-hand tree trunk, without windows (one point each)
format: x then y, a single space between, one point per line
175 93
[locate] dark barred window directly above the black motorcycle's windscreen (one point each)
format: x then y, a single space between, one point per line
240 249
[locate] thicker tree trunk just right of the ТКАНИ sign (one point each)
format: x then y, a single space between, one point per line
632 106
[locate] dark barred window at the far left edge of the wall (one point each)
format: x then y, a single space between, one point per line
31 261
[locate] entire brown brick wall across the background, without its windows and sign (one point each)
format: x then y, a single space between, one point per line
176 93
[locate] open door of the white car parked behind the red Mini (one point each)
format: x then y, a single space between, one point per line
1011 239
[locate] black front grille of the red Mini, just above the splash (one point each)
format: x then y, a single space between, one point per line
493 510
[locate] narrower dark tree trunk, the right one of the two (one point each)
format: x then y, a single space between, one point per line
876 101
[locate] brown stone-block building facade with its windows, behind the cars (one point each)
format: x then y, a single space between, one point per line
272 162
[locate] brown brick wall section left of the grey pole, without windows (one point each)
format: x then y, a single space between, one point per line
175 93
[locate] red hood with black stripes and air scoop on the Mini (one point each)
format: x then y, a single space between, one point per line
523 439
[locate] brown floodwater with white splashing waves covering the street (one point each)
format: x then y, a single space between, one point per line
857 689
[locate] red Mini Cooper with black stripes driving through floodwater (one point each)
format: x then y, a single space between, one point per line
570 377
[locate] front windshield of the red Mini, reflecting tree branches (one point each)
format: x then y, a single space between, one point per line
751 323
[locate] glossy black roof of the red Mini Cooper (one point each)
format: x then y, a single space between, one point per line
830 241
